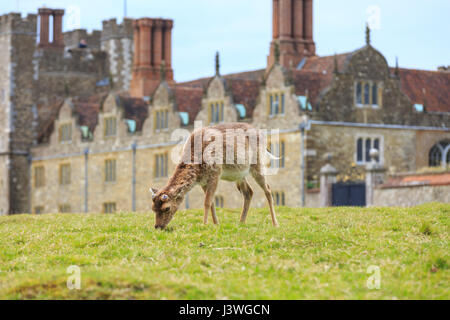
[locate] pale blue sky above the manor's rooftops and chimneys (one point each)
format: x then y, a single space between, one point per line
415 31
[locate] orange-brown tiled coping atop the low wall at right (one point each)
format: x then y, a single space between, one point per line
439 179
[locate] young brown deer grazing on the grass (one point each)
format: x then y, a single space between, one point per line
196 168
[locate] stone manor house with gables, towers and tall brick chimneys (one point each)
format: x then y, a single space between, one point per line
86 118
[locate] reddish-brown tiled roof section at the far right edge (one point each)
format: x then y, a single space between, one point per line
429 88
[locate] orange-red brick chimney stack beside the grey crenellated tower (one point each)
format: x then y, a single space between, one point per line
152 45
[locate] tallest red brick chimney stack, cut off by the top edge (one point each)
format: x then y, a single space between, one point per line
293 31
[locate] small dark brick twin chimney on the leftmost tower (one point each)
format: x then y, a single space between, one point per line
58 39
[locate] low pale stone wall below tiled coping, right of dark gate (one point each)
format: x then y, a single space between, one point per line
411 196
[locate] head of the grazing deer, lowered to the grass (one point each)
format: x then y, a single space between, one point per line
164 206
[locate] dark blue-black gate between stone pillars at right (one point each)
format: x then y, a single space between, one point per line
349 194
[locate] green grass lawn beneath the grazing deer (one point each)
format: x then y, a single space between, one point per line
315 254
